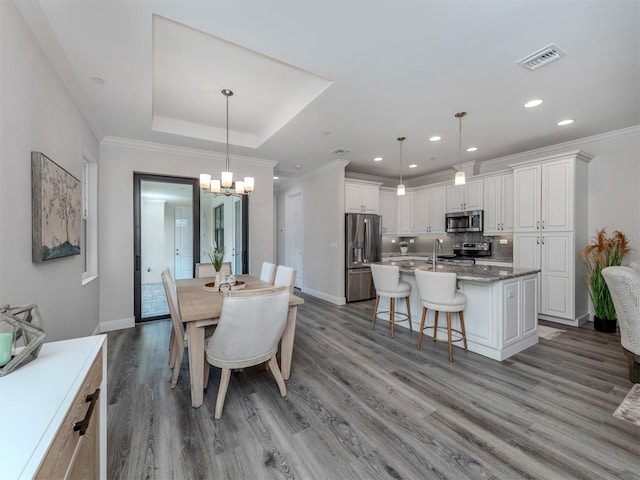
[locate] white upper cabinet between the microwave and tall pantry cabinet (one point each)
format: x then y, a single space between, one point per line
498 204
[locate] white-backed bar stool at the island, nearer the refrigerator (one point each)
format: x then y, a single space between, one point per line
386 281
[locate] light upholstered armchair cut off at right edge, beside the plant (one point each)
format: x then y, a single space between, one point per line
624 286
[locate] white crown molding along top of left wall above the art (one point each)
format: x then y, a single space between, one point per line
37 22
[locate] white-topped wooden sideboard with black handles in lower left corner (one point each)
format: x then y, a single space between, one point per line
42 401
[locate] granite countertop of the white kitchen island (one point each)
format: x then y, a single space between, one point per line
476 273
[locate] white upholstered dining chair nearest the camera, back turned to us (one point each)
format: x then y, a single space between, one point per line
250 327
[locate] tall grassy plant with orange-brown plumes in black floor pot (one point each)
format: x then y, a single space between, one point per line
603 251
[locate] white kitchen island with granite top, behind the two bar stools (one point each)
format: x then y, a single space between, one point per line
501 316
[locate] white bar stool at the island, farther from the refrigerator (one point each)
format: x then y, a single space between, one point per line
438 292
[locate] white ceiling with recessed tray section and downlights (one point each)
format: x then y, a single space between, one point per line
377 70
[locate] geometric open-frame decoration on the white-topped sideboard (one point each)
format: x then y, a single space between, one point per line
27 329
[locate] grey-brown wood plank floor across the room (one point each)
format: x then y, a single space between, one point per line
361 405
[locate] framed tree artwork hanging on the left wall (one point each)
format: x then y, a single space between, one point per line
57 210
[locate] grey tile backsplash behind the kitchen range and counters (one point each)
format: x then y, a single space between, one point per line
423 244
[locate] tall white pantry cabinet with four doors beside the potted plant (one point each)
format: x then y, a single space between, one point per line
550 231
